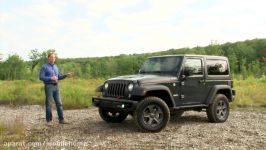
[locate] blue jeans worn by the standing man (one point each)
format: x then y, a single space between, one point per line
52 91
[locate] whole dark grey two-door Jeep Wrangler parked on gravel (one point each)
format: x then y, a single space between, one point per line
168 85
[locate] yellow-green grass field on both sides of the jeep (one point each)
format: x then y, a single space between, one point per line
77 93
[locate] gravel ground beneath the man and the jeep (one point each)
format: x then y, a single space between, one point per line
245 129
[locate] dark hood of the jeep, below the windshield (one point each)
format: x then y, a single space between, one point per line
146 79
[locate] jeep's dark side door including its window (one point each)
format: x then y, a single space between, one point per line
193 86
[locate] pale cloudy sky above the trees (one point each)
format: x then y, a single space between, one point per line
96 28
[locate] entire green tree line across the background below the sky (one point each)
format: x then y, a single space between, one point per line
247 58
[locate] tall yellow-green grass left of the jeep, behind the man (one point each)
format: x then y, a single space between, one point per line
75 93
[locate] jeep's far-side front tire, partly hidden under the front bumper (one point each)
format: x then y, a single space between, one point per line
112 116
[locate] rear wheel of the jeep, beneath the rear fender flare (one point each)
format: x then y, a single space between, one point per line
218 111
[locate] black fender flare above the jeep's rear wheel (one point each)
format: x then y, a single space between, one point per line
214 90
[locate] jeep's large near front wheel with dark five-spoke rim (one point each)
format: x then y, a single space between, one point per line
152 114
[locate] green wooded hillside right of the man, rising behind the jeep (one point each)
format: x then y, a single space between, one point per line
246 58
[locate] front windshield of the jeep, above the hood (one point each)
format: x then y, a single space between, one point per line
161 65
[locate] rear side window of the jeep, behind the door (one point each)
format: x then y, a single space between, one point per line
217 67
